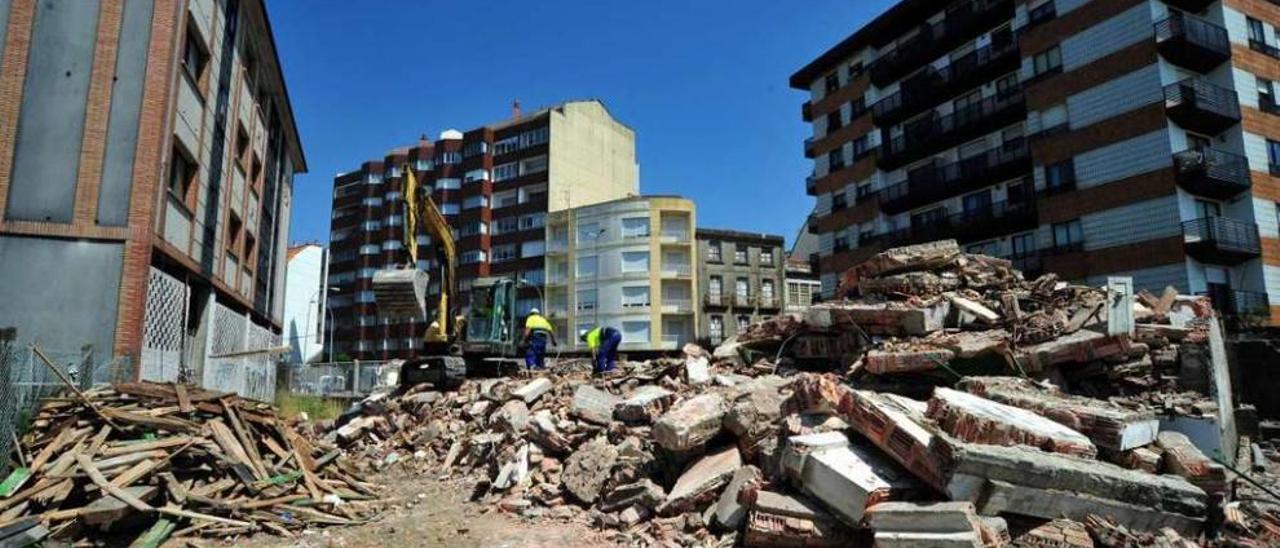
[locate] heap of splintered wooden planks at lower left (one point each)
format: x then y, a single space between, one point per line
152 462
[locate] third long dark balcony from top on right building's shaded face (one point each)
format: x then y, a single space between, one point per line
929 136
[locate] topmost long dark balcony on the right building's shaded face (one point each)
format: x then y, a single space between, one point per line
935 40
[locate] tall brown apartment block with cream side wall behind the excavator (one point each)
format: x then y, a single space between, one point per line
496 185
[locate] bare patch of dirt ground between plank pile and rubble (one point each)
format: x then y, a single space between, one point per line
436 513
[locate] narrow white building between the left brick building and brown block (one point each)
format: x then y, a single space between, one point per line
307 309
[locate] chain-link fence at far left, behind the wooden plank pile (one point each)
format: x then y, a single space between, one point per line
26 378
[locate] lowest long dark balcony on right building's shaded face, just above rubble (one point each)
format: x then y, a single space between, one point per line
980 223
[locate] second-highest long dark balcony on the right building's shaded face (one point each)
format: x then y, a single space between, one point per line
934 88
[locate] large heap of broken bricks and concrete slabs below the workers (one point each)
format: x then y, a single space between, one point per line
968 409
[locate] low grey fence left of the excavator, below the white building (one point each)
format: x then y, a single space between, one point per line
341 380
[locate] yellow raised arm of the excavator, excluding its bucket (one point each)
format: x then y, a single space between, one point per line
422 211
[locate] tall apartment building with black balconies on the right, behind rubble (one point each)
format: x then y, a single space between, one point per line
1091 139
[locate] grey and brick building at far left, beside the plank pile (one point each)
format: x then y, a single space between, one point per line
147 166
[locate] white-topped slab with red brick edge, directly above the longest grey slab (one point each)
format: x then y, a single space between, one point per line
980 421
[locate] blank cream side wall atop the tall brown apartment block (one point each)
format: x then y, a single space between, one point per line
593 157
